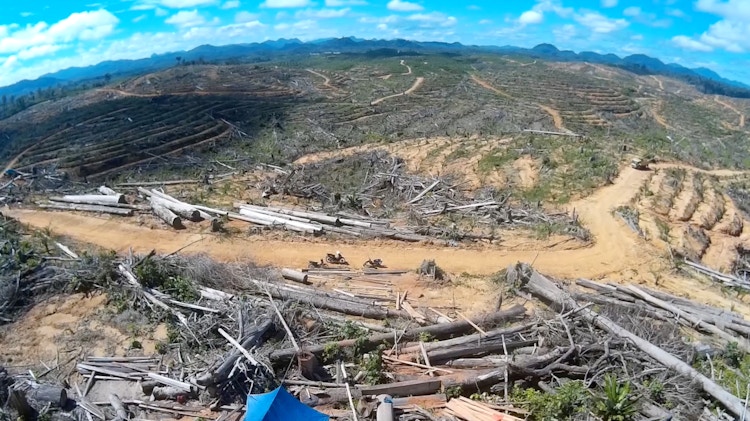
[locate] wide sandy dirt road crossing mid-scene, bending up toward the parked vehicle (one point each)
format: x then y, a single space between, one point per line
612 251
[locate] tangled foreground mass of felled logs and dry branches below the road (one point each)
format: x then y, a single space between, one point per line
615 352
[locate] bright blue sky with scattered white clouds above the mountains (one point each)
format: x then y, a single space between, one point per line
38 38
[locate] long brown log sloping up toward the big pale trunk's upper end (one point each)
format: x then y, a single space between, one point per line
439 331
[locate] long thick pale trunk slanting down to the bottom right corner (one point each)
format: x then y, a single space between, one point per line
558 299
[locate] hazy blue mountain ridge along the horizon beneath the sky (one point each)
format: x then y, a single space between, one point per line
704 79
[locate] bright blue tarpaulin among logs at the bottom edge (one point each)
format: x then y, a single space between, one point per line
279 405
